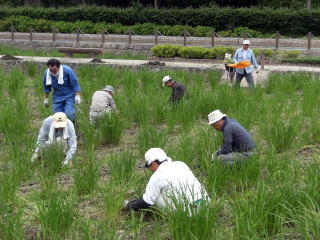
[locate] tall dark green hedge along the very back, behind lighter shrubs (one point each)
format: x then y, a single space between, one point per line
287 21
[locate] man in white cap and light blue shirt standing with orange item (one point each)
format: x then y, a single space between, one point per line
243 54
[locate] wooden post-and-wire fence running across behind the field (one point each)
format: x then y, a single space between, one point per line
276 41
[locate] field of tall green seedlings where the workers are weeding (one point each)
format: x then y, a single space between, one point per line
275 196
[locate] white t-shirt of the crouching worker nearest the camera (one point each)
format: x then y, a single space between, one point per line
172 182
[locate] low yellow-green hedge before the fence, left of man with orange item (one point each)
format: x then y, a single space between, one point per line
171 51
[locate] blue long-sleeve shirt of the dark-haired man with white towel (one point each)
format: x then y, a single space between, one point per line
65 90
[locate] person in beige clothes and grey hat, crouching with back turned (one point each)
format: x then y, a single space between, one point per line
102 103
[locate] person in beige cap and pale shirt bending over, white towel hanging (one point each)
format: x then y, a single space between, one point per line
57 129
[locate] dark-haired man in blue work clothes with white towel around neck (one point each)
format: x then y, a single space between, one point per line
66 89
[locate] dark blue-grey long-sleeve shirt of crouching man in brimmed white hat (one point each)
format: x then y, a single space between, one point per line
235 138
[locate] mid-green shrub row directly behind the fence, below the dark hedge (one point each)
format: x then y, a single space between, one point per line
22 24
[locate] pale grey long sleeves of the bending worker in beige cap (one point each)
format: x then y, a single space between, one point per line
44 136
